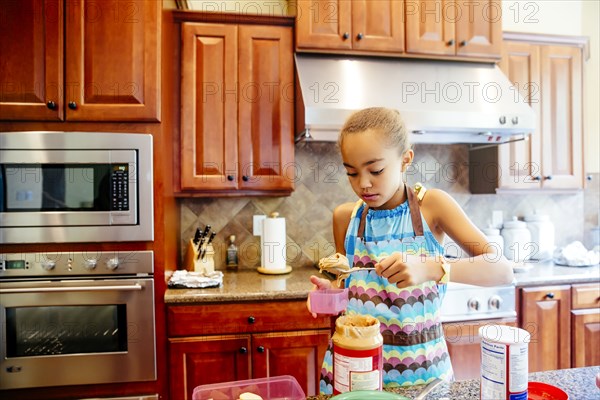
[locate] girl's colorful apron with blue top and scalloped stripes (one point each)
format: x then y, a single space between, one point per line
414 347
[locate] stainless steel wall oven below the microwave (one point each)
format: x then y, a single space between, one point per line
76 318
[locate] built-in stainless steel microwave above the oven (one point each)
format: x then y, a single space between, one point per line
75 187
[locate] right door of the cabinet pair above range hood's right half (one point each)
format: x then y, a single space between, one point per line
479 28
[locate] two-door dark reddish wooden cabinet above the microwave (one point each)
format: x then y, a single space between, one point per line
80 60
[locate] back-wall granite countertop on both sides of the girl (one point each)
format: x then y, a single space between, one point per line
249 285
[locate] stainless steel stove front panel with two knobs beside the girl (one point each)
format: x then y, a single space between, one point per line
468 303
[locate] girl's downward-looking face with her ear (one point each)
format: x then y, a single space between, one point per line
374 170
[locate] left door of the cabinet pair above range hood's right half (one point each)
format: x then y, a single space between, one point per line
430 26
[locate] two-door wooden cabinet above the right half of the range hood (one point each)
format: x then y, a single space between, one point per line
454 28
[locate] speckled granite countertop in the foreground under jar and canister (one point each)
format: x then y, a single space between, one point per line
579 383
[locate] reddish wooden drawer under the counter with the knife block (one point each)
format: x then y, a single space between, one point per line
247 317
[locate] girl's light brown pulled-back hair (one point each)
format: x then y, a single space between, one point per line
385 120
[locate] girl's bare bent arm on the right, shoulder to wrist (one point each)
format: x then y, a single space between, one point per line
485 266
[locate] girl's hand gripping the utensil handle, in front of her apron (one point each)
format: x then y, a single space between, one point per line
408 270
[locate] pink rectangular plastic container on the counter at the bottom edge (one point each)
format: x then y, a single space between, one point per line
273 388
